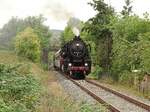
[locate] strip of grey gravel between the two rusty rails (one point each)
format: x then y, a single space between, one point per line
119 103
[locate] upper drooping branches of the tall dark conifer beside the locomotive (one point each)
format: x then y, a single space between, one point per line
96 26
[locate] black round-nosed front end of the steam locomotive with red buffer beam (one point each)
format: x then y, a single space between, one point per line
80 61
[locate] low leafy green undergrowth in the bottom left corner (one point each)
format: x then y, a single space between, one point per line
18 92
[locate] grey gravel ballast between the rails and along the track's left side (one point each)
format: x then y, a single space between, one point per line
80 96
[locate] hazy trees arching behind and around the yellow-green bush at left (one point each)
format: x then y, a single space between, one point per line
16 25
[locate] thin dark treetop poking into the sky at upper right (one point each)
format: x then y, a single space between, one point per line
127 9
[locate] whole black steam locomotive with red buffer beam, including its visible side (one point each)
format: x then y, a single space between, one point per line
74 58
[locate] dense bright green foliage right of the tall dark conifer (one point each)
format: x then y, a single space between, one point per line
130 44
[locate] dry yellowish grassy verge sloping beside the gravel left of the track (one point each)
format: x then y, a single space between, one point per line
52 96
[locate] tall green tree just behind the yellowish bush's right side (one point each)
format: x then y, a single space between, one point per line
43 32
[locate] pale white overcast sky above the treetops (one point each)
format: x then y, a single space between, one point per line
58 12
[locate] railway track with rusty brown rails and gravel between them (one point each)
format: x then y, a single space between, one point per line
118 102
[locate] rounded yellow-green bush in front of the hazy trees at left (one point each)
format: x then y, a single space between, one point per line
27 44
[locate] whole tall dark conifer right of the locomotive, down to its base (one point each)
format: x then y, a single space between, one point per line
102 36
